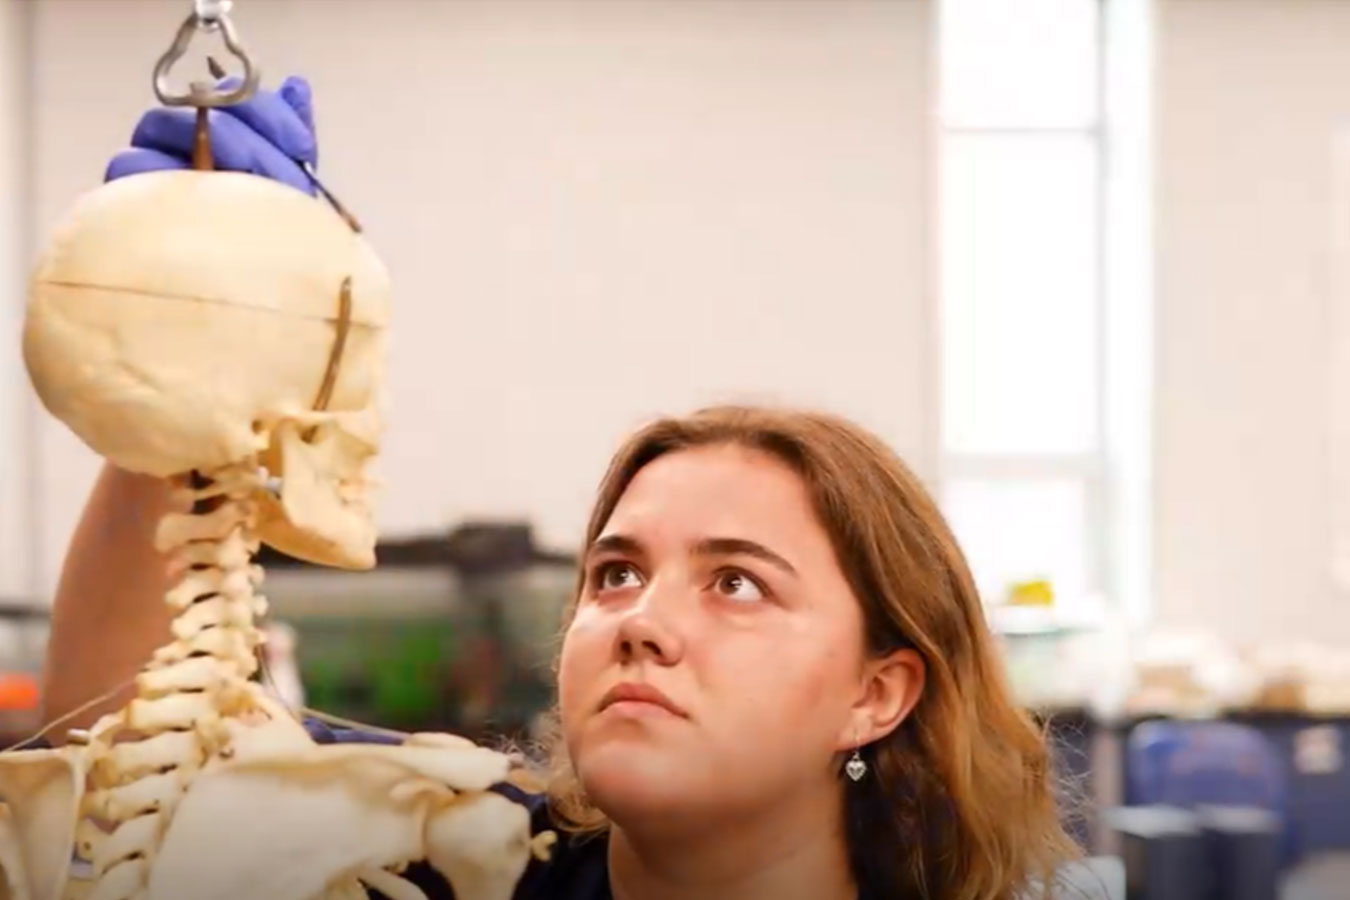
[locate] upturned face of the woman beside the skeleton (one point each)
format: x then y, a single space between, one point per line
716 659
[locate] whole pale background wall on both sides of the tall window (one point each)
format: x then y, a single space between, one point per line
601 211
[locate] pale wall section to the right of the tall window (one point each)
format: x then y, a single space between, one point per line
1251 98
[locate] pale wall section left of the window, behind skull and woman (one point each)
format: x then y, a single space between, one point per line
595 213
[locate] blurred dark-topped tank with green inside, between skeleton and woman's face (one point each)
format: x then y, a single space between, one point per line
448 634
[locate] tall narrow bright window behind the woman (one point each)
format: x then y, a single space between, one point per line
1032 470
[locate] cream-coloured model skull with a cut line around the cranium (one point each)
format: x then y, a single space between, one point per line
186 320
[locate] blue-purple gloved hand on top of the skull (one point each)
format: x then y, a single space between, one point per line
269 136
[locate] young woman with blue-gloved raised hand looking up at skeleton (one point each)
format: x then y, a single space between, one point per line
776 679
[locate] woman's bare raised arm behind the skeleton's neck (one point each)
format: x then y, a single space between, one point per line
109 615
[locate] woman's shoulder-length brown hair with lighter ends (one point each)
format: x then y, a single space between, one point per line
959 802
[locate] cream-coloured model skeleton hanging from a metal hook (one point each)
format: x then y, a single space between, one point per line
230 335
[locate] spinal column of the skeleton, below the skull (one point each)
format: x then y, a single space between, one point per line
145 755
